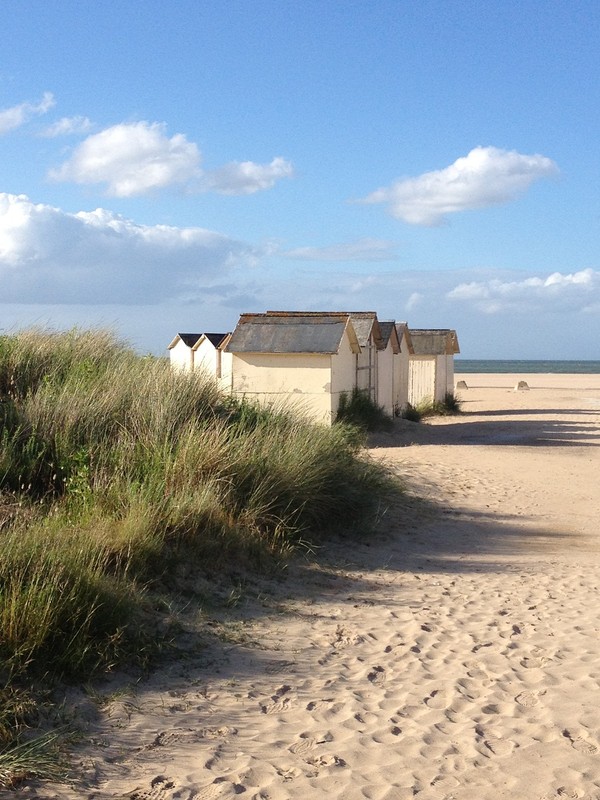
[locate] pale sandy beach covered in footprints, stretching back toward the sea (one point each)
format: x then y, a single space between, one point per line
453 656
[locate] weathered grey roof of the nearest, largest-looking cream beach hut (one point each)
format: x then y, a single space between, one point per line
289 333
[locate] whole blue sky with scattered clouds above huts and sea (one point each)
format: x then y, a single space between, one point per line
165 167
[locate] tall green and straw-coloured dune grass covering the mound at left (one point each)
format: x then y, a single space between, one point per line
114 472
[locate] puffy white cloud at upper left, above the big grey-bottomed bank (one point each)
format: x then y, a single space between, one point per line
132 159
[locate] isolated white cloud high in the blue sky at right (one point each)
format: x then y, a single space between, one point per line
487 176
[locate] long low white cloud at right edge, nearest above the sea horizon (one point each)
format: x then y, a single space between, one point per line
560 291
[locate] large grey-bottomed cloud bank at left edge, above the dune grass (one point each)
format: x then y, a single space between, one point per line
50 256
